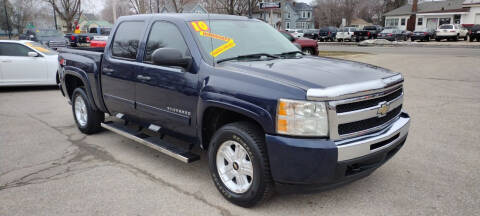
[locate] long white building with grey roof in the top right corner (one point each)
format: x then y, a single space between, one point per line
431 14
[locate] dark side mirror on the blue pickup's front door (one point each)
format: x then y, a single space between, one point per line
170 57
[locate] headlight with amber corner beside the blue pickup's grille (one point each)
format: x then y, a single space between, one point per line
302 118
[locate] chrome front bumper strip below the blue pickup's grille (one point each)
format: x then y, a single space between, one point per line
365 145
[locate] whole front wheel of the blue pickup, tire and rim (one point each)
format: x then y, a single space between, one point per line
239 164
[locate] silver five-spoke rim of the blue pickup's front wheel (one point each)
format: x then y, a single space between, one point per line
234 166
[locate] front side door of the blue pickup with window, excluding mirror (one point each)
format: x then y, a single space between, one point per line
166 96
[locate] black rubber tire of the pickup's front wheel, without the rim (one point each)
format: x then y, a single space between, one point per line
252 139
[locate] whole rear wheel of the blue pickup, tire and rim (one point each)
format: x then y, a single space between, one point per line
88 120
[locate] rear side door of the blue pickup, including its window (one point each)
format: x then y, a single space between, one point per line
119 68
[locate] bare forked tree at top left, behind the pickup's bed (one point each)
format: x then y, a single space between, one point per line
68 10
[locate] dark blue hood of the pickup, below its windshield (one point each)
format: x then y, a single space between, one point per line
310 72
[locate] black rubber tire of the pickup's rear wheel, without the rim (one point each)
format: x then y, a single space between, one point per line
94 117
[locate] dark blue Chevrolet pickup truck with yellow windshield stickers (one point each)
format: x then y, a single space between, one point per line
268 116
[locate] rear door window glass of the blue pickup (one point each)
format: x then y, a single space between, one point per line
126 40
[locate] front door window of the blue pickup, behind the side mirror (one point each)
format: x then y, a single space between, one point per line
164 35
